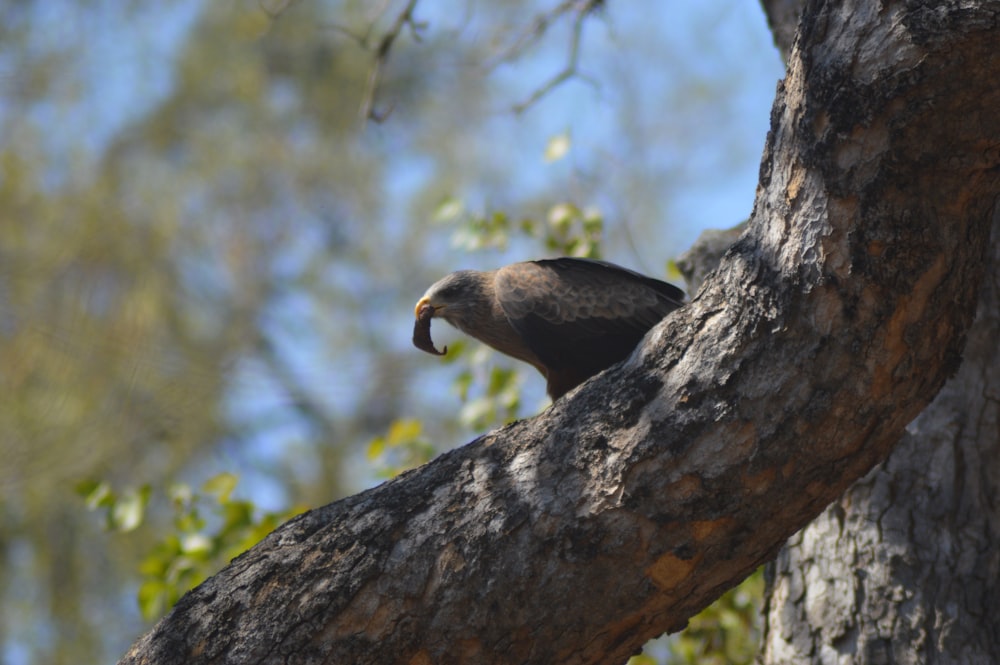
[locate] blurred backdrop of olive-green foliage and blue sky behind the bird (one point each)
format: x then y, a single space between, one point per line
201 241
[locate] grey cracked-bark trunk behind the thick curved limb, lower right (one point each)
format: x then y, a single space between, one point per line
904 567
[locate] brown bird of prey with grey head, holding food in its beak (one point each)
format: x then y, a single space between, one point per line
569 318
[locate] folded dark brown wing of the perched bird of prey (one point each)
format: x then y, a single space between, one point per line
581 315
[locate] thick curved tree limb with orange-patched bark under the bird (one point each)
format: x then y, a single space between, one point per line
637 499
